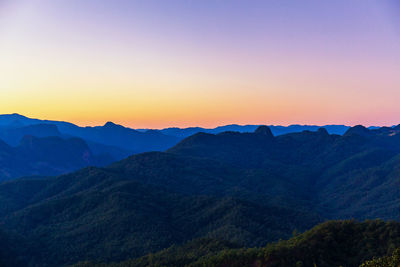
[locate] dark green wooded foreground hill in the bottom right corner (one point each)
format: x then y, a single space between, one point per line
341 243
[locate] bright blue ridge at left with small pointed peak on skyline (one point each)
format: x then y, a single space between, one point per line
111 138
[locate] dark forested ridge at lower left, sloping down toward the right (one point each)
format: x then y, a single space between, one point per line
105 214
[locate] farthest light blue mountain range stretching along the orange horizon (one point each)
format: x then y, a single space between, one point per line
119 141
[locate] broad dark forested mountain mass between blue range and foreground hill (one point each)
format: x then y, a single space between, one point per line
241 189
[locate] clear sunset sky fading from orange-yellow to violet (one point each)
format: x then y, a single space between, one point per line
155 64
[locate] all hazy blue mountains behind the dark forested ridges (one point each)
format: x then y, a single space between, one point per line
102 144
